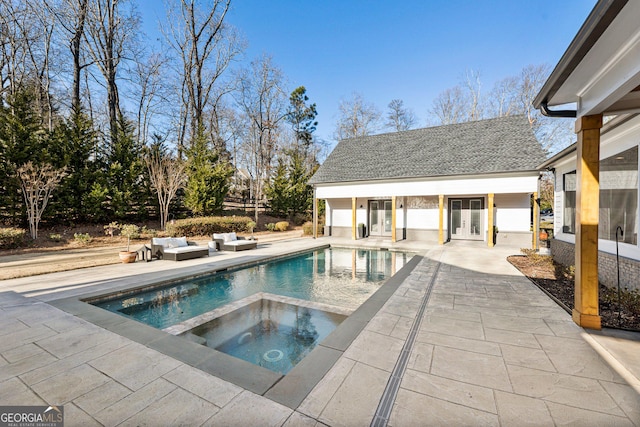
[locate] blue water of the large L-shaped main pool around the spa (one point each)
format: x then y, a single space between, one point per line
340 277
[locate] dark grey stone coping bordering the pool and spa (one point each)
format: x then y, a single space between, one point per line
289 390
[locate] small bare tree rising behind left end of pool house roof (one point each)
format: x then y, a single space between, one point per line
357 118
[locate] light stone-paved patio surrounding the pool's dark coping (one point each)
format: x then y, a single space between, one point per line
465 339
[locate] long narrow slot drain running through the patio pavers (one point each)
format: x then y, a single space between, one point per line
383 412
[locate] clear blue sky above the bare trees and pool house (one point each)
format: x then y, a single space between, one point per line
403 49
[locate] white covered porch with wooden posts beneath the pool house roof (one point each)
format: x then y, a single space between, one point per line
485 217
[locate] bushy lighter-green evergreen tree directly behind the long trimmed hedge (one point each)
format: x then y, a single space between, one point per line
209 173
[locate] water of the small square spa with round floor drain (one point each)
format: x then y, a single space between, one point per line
268 333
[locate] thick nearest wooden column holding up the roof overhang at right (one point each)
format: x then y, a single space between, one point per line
586 311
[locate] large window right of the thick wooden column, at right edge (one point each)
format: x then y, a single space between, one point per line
619 196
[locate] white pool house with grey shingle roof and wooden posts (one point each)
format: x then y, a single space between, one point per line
473 181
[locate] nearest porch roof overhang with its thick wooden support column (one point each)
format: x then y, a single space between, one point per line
598 77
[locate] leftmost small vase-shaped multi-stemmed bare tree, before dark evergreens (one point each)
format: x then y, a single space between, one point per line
38 182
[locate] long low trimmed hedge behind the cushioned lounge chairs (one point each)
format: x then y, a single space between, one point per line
206 226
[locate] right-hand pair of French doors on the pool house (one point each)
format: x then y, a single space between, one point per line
466 220
